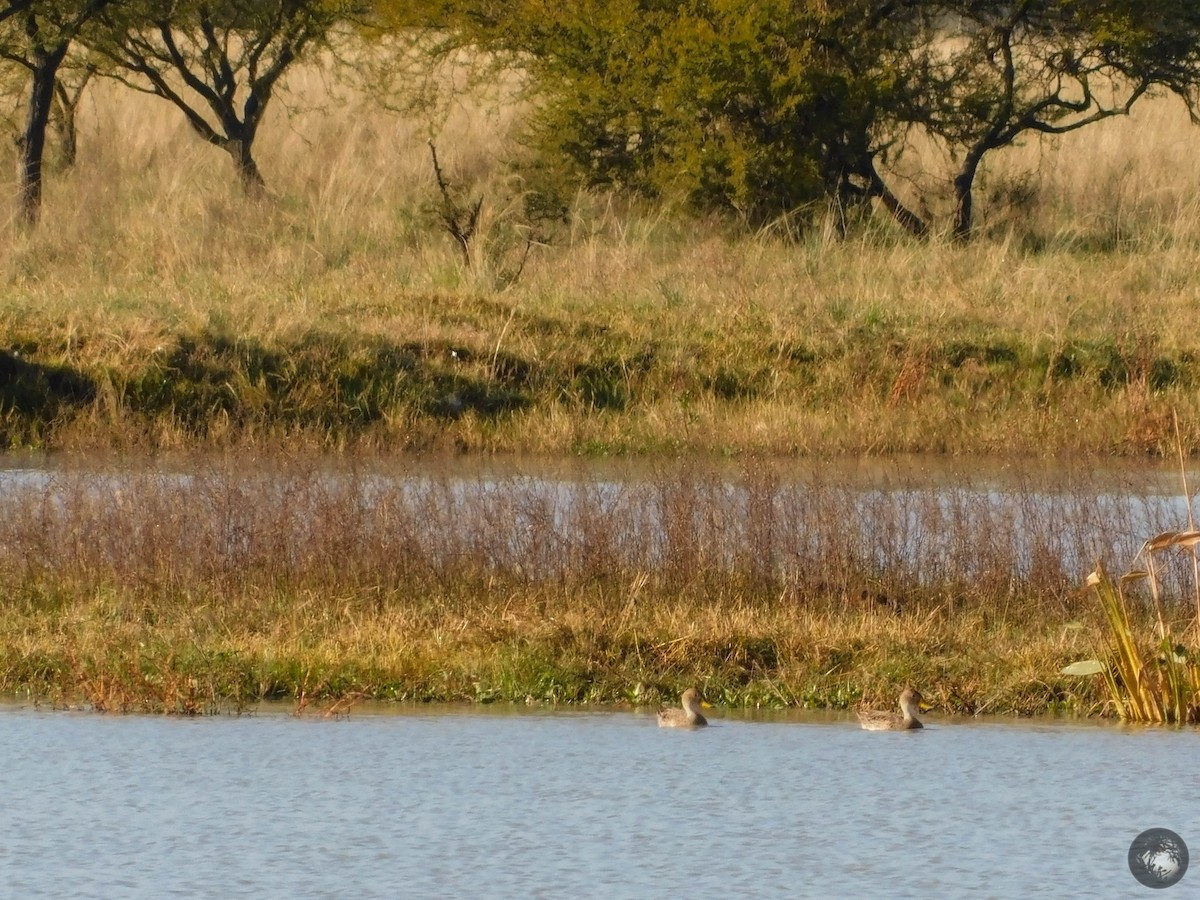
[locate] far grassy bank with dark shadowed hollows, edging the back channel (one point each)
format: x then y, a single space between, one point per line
581 385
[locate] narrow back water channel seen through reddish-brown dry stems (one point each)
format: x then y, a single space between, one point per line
925 521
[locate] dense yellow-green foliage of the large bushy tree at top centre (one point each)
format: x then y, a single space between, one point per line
727 105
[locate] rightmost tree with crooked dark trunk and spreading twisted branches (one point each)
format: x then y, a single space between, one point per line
1037 67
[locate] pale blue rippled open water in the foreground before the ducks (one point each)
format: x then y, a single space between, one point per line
515 803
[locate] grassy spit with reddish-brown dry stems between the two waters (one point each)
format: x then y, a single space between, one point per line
221 584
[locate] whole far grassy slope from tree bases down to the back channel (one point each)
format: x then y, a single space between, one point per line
158 309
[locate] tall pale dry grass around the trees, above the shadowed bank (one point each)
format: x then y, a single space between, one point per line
152 225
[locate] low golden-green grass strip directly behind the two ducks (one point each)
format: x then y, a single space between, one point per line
205 651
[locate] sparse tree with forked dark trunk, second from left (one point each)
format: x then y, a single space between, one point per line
219 62
